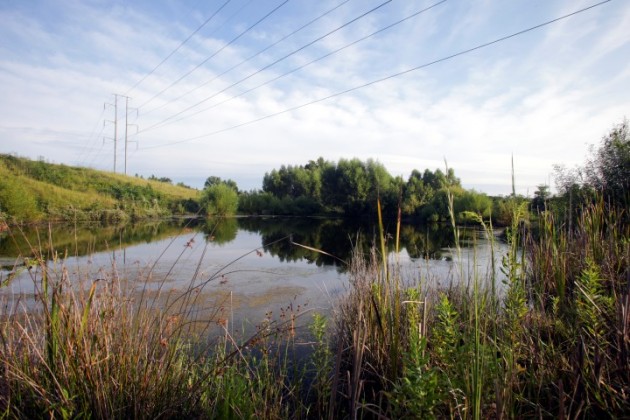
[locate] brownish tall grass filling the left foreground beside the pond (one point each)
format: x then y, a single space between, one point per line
97 348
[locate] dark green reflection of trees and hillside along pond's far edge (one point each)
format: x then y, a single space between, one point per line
336 237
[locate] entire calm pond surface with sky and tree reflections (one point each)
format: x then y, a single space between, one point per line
248 267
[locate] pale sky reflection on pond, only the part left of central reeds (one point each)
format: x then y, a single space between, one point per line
251 283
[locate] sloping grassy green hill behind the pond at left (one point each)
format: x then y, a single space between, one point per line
35 190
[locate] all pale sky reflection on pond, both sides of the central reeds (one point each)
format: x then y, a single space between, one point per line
243 278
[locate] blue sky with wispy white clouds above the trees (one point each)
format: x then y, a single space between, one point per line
236 88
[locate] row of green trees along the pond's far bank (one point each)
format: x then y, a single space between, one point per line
348 187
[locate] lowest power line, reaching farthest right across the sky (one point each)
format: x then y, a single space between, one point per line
389 77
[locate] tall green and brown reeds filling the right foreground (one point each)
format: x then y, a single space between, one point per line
551 342
